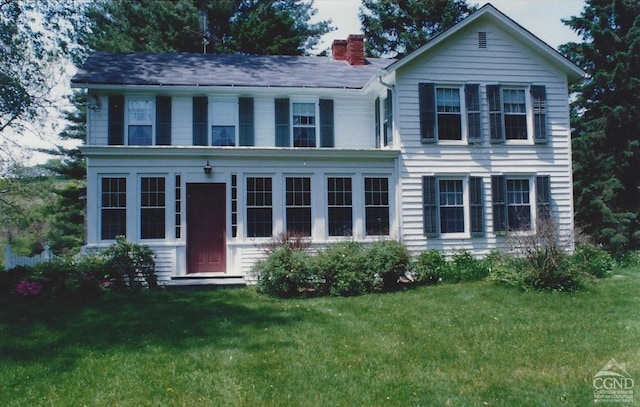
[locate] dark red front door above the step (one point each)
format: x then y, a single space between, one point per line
206 228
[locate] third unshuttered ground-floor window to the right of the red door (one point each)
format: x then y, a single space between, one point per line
340 210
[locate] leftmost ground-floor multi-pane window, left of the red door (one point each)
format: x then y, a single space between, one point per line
113 212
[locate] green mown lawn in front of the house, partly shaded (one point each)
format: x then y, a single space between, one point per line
469 344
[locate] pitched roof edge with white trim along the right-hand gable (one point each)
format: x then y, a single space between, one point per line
495 16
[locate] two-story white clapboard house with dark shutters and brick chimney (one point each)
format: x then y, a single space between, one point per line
206 157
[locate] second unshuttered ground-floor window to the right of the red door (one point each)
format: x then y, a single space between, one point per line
298 205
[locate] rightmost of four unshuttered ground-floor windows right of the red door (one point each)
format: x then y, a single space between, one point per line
376 203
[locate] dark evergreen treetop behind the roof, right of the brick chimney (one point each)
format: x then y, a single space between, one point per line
398 27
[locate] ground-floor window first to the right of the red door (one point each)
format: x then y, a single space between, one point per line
259 207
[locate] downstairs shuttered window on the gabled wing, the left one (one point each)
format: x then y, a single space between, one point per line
452 206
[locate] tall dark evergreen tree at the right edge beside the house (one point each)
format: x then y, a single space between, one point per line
606 113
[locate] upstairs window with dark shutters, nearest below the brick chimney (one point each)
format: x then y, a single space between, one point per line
304 123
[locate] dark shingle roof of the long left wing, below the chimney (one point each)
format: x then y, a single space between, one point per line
183 69
